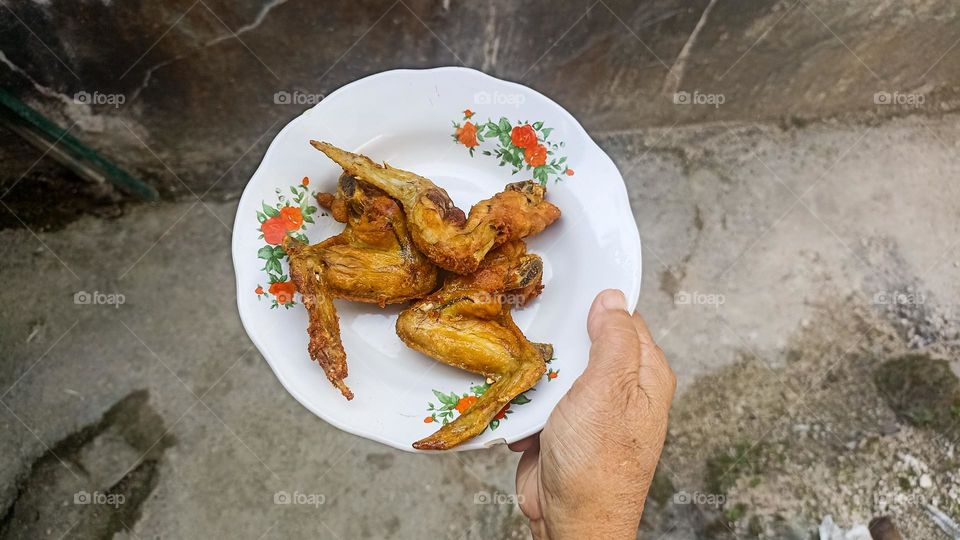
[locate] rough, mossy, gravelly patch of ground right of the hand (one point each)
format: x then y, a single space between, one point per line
857 420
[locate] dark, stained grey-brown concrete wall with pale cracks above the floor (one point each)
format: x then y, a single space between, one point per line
198 79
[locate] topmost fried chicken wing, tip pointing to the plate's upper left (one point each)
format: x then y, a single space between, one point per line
449 238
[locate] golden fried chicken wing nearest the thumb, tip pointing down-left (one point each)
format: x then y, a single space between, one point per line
467 324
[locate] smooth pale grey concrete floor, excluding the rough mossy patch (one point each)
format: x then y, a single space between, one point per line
751 234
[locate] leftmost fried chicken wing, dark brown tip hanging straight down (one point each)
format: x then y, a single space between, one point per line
373 260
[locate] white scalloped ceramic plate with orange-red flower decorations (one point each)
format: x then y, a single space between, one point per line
406 117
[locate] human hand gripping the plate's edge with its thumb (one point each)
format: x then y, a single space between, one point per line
586 475
